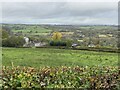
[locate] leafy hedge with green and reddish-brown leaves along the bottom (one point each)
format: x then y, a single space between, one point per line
95 78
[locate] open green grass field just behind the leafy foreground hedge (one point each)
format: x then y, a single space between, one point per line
40 57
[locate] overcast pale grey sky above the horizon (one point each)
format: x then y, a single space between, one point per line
64 12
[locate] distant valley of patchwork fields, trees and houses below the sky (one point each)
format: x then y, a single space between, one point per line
74 36
